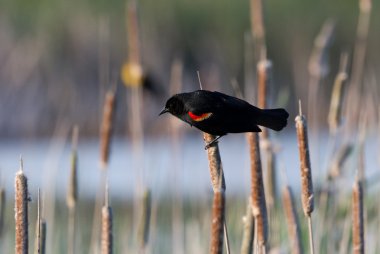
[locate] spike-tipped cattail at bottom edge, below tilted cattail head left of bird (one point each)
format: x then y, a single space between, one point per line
107 221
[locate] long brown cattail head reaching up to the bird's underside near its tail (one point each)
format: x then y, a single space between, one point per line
259 209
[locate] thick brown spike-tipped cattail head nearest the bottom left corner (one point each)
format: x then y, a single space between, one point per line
21 211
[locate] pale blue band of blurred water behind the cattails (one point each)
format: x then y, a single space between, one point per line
47 165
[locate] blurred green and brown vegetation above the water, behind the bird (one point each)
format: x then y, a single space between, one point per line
54 54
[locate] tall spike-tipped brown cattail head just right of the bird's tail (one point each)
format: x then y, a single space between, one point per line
306 178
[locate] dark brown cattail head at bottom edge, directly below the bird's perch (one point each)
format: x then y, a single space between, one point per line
217 229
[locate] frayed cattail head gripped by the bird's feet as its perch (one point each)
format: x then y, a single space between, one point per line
215 164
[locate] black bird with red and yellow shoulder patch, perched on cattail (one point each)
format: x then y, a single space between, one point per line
219 114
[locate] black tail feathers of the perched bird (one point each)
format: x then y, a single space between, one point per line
275 119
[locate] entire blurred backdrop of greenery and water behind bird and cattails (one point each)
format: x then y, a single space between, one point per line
59 58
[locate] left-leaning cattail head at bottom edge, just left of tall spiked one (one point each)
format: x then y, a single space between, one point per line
292 220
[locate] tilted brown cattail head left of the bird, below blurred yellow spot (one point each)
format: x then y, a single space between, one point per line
107 127
